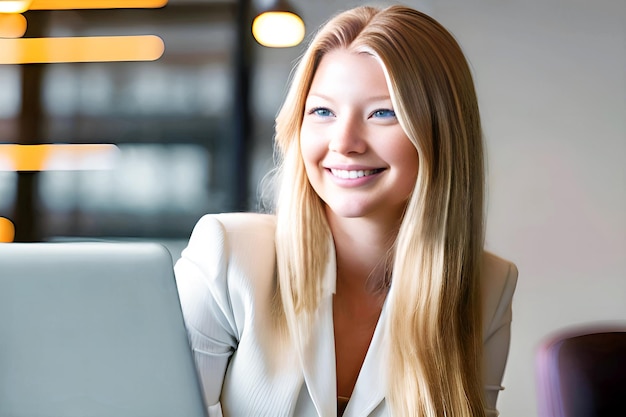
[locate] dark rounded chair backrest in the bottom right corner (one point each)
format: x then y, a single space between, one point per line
583 373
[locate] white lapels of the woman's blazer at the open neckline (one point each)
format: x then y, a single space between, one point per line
318 358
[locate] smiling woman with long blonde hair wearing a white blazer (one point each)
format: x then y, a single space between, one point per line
368 293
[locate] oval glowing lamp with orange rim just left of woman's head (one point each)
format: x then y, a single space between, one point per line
278 29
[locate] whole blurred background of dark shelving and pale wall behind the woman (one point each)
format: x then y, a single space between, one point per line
193 134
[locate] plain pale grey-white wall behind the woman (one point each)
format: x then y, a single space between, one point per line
551 79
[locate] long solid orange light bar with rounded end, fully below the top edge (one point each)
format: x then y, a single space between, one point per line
81 49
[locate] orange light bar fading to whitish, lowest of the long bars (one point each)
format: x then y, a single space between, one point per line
57 157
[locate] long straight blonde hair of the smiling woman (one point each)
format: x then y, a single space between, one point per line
435 337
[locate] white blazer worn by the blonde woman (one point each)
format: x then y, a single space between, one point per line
226 278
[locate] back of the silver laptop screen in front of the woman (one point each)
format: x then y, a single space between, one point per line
93 330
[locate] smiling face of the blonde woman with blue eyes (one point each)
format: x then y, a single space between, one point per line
357 157
